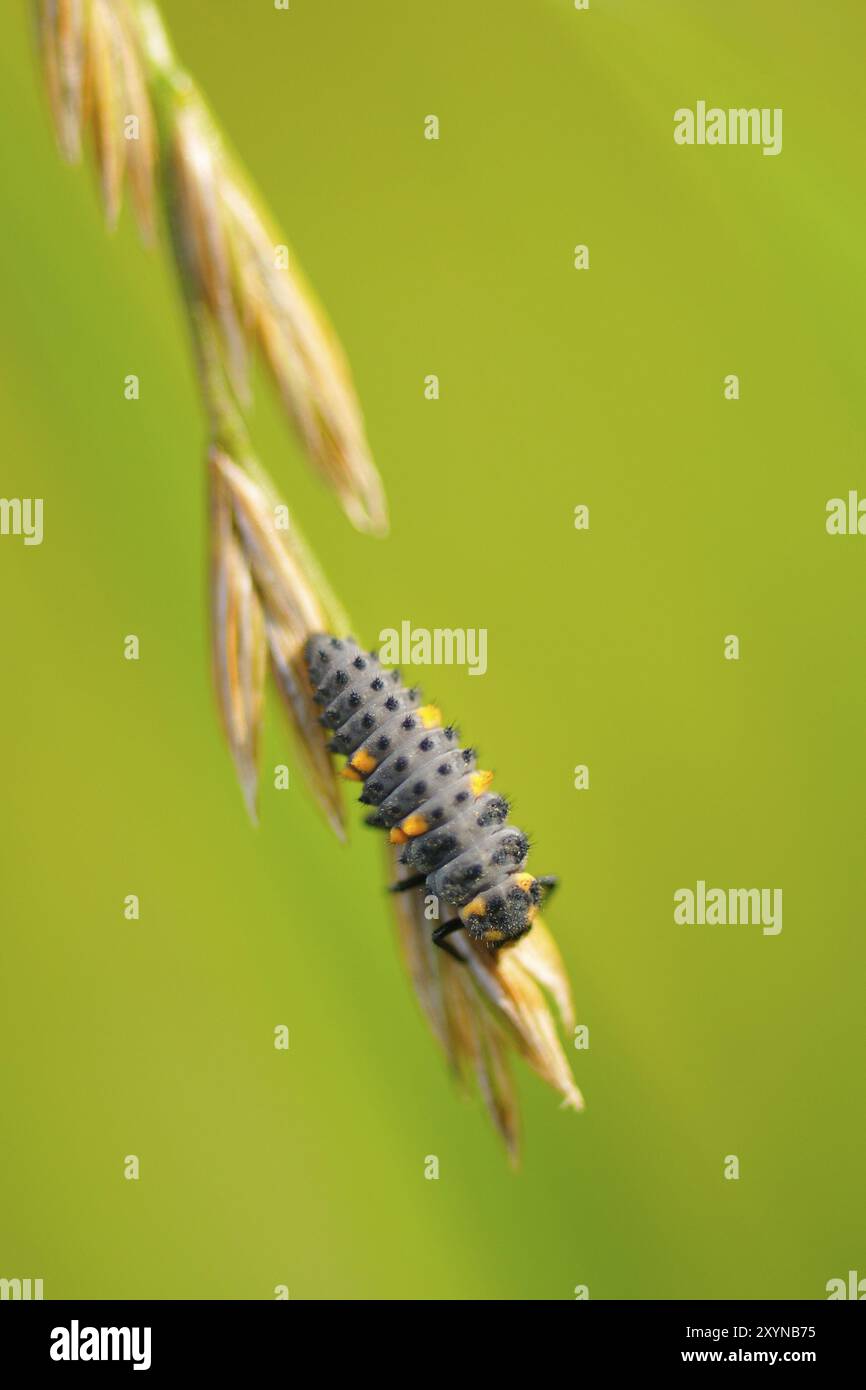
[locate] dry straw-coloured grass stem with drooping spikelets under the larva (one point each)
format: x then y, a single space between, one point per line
109 67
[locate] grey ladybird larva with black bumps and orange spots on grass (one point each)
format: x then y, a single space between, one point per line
427 793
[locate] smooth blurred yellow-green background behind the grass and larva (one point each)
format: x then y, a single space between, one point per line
605 389
